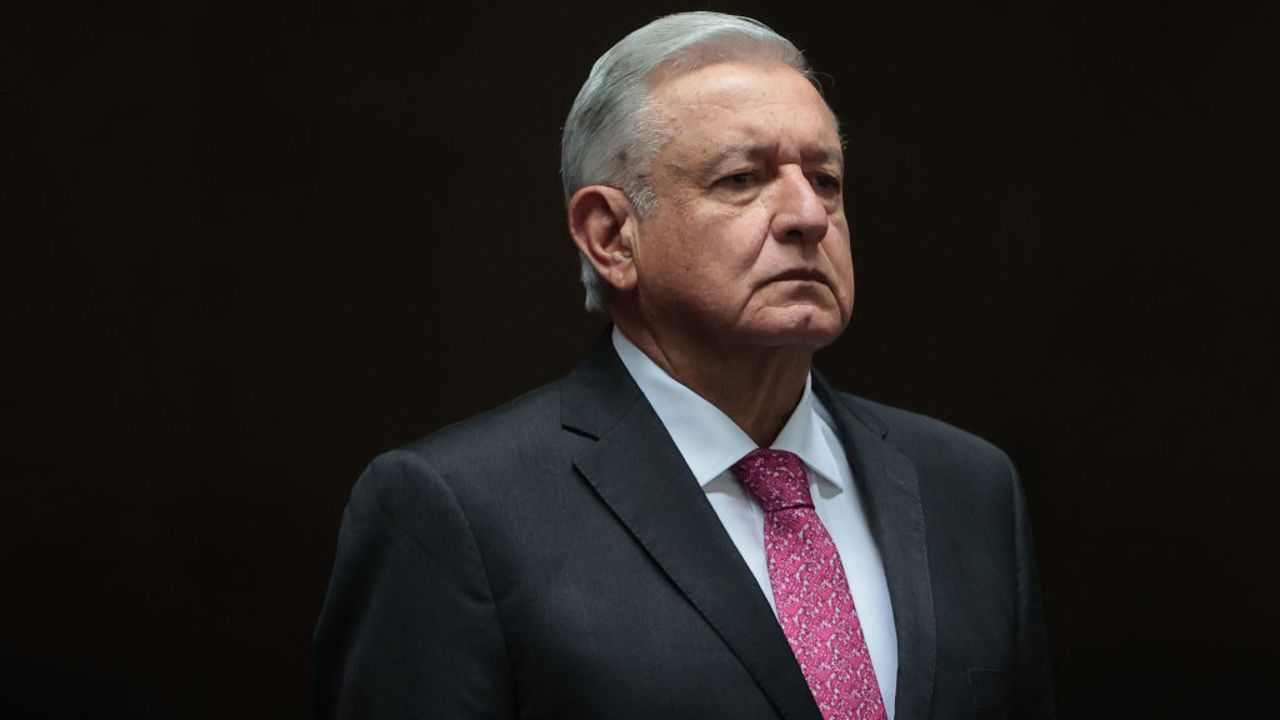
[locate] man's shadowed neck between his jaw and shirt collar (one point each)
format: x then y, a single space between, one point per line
758 389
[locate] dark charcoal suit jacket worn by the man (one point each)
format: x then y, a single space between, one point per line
556 559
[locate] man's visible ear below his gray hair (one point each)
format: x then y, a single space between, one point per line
604 225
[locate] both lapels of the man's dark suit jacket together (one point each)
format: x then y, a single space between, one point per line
641 475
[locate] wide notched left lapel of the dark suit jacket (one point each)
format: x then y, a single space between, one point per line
641 475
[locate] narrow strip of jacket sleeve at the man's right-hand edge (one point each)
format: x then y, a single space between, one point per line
1034 690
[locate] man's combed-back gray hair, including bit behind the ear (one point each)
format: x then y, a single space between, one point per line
612 134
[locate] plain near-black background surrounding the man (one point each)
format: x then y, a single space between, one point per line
249 247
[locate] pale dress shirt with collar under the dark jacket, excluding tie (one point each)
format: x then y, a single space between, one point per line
711 444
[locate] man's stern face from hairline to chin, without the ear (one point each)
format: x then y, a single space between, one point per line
748 244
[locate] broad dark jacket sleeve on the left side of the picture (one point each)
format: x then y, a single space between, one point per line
409 626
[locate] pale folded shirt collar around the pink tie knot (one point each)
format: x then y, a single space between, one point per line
707 439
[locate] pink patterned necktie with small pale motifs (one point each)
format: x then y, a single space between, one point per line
810 589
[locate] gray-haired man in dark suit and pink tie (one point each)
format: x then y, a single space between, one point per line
693 523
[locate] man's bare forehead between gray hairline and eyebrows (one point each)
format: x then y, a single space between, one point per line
717 108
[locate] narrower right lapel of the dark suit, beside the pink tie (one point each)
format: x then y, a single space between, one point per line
892 494
